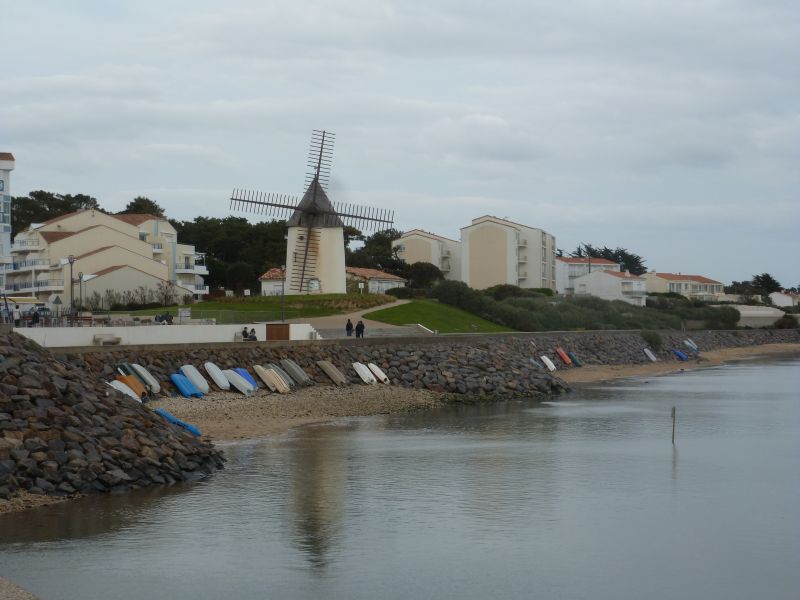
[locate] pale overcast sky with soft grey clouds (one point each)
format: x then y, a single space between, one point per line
670 128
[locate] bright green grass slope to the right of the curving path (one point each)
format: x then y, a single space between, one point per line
441 317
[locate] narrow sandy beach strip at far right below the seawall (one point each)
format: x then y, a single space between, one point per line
598 373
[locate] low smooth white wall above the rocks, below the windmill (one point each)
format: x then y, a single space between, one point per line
60 337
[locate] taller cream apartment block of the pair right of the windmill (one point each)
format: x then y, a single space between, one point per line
497 251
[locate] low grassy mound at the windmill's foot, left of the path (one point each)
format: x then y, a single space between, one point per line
268 308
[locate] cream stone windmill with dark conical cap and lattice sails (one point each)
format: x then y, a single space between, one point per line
315 240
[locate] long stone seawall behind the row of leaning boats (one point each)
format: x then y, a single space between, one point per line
471 364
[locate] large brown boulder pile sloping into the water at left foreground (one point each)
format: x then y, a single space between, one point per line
64 431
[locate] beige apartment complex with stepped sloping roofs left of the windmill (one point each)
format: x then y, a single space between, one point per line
100 252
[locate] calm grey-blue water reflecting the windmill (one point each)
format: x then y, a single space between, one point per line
581 498
